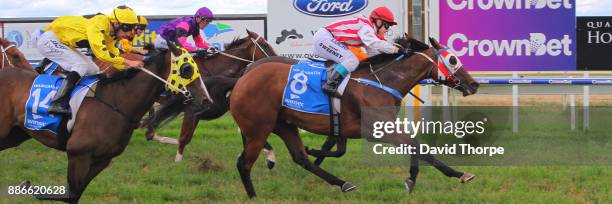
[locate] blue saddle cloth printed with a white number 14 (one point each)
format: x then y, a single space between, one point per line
42 92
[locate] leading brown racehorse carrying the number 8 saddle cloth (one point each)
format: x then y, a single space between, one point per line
255 104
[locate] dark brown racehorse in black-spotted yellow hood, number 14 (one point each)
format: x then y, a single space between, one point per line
94 140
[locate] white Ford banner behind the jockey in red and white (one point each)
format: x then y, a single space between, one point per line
292 23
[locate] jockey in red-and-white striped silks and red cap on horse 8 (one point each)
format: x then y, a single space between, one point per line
332 42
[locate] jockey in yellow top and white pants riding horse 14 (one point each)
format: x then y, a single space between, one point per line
99 32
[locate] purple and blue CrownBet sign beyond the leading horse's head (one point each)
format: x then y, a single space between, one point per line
511 35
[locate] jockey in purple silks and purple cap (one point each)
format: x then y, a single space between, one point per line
179 29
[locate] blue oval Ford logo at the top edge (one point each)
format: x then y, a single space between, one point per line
330 8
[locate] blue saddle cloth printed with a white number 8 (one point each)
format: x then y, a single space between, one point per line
303 91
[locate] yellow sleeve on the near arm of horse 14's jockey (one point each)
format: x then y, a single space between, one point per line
100 47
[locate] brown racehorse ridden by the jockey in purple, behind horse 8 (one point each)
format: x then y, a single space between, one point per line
220 72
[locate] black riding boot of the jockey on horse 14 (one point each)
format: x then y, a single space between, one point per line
59 104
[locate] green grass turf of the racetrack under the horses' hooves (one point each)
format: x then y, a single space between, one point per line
146 173
